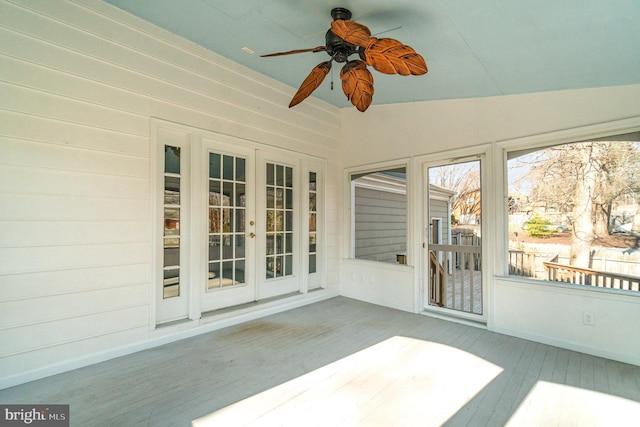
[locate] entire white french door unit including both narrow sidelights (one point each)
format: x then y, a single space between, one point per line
230 227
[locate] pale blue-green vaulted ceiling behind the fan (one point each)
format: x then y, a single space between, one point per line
473 48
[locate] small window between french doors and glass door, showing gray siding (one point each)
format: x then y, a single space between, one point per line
379 208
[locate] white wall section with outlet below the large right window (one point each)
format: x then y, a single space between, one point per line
559 319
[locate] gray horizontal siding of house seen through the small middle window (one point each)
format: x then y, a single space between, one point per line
380 224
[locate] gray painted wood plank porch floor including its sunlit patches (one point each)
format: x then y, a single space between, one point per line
399 369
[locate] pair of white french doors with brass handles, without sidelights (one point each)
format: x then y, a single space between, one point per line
252 225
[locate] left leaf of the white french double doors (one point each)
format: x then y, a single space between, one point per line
230 230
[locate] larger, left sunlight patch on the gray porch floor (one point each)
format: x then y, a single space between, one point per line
400 381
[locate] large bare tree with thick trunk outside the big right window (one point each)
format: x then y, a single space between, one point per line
584 181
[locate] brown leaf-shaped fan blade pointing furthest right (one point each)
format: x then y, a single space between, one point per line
389 56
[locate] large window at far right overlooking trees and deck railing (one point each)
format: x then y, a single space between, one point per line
574 213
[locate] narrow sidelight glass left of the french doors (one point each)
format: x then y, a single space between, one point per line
171 236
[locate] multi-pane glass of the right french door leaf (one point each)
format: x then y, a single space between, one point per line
279 220
